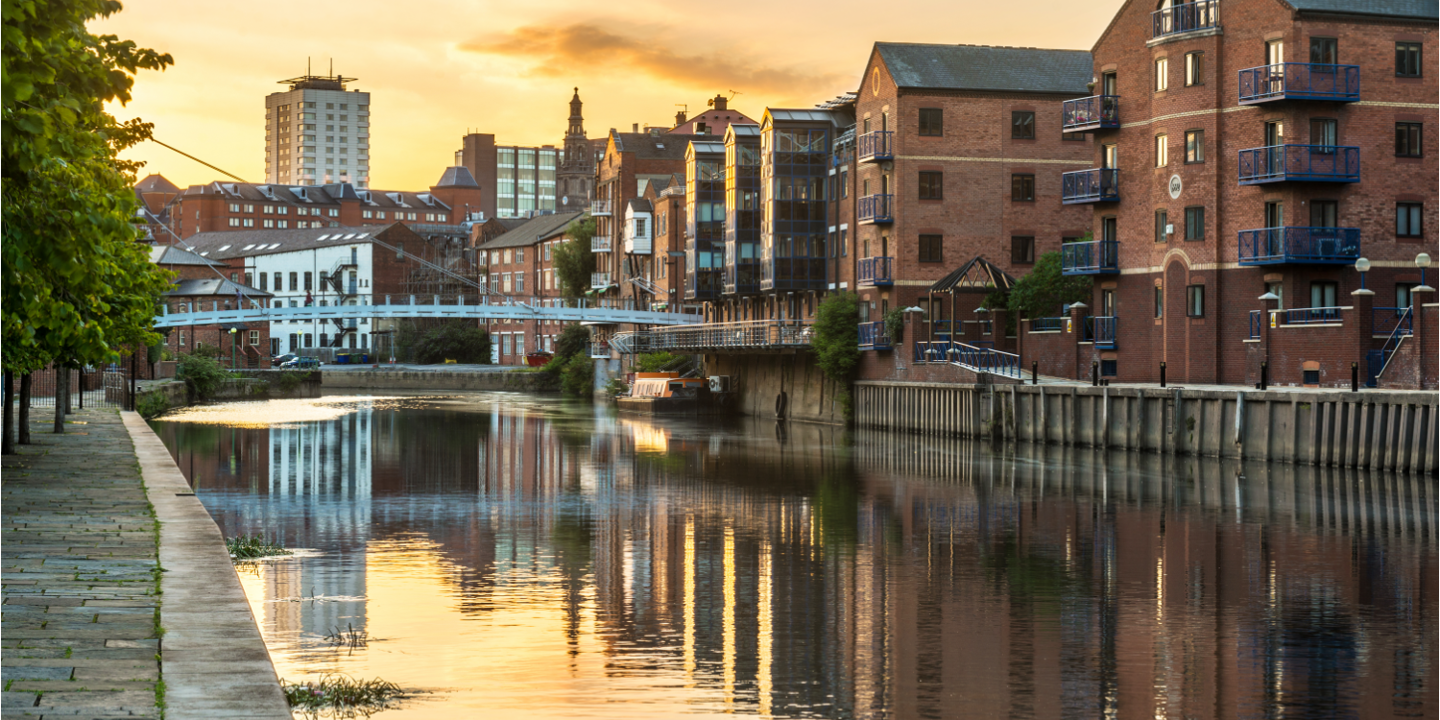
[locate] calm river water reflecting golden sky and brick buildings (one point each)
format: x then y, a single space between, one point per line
521 557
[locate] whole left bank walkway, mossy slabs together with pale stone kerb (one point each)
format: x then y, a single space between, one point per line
84 591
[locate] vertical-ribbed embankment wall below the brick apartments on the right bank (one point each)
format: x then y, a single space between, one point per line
1393 431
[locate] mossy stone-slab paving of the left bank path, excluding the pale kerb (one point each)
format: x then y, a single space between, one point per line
80 575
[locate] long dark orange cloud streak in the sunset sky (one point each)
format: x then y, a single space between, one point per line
582 48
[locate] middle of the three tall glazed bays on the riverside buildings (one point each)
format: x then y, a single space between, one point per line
742 222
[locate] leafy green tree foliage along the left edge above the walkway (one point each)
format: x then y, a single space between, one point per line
77 286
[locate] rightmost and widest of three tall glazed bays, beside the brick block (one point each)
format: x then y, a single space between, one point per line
794 227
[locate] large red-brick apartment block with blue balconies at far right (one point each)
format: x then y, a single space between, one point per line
1246 149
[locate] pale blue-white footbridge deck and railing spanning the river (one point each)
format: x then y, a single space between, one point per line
460 310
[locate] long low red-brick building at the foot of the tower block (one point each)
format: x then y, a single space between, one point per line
248 207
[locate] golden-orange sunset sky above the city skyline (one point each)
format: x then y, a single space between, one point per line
440 68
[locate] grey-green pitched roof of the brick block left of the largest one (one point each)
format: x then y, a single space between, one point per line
987 68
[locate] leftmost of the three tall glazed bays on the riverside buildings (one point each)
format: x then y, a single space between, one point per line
705 220
